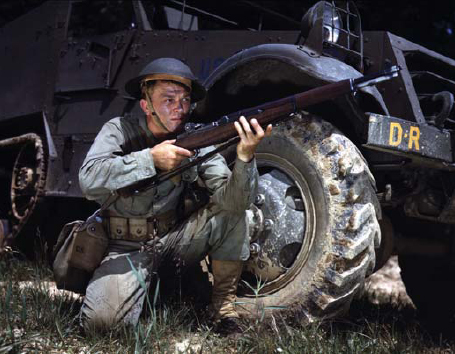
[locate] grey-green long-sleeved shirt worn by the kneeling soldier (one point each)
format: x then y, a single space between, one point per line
105 169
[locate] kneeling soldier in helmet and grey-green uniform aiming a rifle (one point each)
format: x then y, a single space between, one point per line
129 150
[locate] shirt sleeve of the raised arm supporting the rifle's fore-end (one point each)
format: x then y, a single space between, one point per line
233 191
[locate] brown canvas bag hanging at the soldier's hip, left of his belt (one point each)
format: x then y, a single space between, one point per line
79 250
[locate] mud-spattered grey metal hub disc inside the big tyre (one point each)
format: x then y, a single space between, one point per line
277 227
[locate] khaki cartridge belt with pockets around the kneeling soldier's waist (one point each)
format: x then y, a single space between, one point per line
138 229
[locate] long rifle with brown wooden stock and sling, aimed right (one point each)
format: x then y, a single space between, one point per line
197 136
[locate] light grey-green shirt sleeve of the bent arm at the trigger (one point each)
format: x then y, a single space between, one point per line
105 170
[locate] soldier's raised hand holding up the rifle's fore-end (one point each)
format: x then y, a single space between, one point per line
249 138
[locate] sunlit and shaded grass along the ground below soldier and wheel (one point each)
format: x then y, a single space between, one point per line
36 318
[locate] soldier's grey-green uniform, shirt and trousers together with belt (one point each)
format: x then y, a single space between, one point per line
116 291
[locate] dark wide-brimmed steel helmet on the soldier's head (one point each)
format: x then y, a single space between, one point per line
166 69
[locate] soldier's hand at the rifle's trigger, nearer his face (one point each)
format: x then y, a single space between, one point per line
167 156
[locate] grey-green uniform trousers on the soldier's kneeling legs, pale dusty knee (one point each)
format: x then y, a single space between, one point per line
119 286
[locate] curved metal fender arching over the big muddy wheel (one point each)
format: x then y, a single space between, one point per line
270 71
